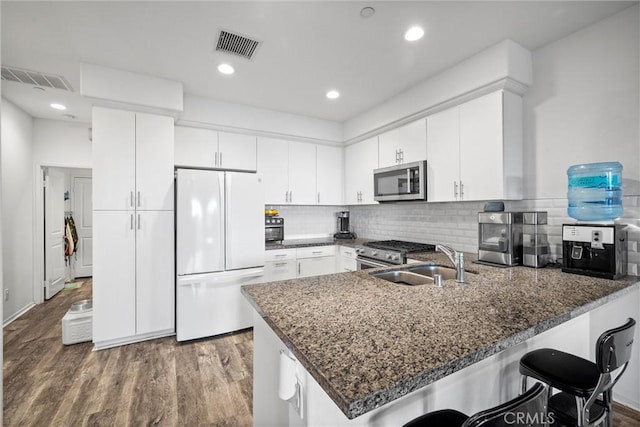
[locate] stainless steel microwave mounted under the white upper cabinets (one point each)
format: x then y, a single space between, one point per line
401 182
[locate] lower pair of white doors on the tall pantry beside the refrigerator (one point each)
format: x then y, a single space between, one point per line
133 285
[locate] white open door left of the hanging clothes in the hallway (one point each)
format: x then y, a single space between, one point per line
53 232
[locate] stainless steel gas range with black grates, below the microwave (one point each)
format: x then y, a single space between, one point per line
385 253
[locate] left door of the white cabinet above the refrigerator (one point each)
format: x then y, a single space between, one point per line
195 147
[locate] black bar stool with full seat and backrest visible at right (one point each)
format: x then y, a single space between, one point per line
580 381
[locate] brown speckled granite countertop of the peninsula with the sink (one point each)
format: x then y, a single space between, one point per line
367 341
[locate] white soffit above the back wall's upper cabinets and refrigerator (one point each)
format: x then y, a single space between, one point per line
246 119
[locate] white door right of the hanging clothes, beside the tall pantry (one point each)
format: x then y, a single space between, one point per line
83 218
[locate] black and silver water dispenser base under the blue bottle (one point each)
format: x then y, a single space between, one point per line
595 250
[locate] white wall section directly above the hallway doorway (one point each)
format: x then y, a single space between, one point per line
60 143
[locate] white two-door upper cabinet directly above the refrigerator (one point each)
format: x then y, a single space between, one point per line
206 148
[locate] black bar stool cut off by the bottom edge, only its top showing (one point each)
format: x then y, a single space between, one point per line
528 409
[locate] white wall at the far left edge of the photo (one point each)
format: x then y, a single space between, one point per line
17 209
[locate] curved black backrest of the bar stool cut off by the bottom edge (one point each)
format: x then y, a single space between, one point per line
528 409
